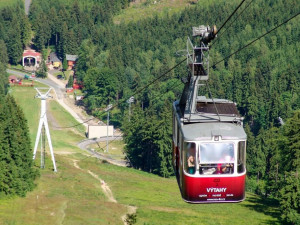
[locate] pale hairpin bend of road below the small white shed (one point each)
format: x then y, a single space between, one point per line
83 145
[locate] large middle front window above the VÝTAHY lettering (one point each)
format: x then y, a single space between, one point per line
216 158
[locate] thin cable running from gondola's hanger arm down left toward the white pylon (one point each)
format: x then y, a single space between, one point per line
135 93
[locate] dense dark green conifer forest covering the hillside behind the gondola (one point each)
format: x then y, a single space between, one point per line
117 60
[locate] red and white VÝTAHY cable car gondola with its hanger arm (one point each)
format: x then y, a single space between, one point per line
209 142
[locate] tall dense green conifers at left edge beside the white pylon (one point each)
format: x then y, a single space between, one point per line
16 174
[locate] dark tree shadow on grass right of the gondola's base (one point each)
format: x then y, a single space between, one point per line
266 206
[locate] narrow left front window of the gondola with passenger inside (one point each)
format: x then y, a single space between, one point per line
190 157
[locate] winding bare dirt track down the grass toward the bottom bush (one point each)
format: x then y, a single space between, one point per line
108 193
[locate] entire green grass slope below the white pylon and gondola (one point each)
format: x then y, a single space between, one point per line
73 196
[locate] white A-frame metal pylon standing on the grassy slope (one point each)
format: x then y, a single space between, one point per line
44 123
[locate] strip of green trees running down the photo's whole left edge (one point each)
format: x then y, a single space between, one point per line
17 174
